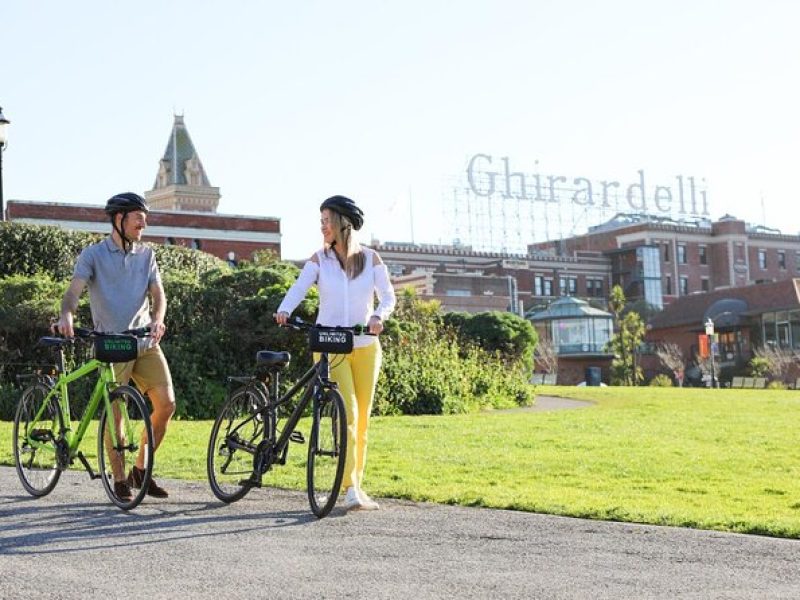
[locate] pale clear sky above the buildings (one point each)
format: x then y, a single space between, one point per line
290 102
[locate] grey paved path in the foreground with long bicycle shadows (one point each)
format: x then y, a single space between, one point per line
73 544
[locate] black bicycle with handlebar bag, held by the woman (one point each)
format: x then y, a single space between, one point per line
246 442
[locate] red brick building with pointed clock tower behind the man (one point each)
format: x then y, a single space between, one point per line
184 209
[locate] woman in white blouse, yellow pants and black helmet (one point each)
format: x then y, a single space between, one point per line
348 276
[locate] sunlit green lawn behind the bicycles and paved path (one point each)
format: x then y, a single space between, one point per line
712 459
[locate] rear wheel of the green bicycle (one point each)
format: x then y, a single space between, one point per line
37 442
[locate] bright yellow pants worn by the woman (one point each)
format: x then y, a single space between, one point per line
356 373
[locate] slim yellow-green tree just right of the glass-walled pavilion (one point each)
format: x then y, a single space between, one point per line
629 334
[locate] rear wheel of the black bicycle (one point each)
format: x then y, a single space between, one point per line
234 438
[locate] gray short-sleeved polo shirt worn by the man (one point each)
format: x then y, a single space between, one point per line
118 284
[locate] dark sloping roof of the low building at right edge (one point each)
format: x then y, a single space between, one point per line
761 297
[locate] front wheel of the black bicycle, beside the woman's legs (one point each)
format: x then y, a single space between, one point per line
327 451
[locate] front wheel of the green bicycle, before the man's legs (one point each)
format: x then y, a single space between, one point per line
123 436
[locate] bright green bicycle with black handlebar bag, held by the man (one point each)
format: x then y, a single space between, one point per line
45 443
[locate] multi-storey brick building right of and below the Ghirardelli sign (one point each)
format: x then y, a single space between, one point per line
661 260
